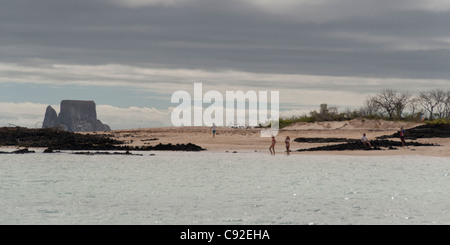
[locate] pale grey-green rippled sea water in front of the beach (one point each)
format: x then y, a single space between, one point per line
188 188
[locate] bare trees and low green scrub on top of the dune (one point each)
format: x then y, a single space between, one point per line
431 107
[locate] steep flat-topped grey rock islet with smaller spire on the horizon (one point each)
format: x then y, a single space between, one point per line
75 116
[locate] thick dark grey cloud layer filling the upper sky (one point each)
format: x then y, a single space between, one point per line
343 38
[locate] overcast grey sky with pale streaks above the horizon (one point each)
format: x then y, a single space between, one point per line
130 56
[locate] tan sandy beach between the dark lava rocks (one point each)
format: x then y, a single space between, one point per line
249 140
